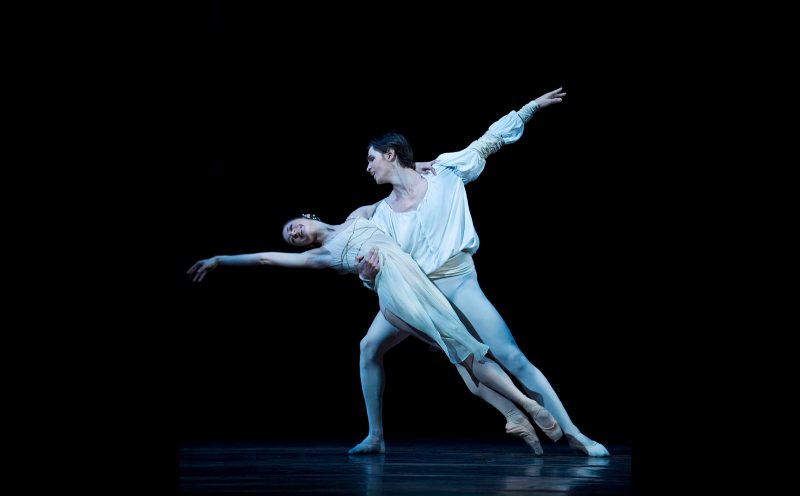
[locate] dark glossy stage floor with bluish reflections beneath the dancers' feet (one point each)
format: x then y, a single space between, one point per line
419 468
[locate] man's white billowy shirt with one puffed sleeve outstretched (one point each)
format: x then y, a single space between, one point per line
441 225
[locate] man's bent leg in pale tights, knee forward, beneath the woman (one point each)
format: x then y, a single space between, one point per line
381 337
